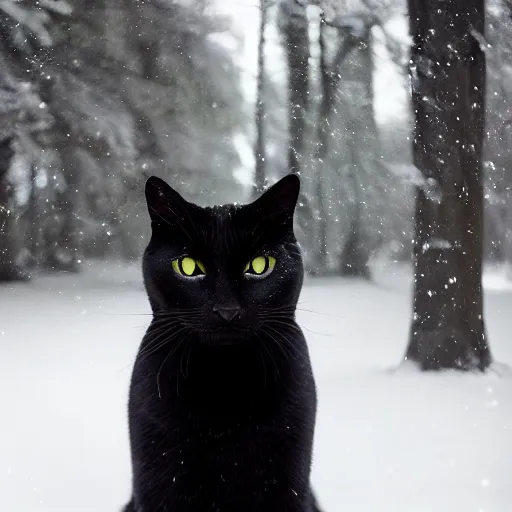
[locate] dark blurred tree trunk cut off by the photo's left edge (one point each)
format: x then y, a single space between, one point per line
9 250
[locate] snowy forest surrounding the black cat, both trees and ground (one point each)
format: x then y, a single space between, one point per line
404 221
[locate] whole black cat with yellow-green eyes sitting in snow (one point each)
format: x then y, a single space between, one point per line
222 401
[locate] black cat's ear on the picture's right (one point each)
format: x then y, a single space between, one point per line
279 200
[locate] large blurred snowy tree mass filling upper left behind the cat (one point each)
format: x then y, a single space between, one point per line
126 103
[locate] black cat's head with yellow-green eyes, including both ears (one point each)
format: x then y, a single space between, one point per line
220 272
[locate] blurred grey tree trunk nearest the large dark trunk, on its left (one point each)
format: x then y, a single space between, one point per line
354 65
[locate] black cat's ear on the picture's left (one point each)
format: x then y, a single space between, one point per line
164 203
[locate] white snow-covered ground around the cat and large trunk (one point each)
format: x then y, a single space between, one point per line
386 442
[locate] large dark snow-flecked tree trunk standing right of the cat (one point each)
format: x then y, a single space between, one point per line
448 91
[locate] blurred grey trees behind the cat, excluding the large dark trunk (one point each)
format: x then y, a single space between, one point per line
97 96
